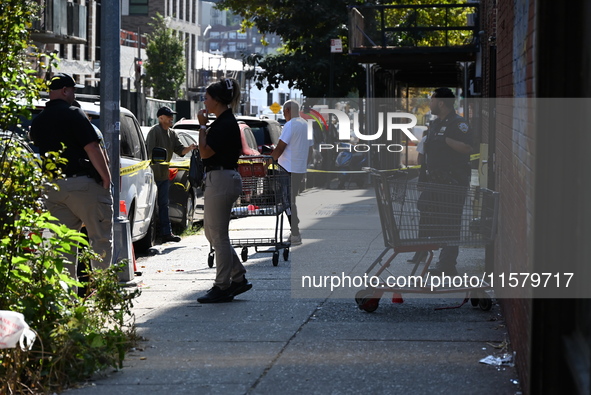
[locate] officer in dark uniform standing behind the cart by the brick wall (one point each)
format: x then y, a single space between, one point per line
447 154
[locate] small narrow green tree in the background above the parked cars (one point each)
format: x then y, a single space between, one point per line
165 67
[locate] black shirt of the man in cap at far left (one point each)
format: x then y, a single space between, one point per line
61 123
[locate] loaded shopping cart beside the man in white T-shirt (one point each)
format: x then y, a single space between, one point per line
265 192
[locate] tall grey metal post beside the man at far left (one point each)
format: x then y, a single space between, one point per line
110 90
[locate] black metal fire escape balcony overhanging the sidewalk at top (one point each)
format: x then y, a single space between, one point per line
418 45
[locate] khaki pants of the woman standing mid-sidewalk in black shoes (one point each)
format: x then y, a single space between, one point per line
222 188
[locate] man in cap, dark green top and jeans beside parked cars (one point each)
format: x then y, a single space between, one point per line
163 136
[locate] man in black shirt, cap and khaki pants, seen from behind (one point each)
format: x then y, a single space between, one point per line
84 194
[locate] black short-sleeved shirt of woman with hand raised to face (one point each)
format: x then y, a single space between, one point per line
223 136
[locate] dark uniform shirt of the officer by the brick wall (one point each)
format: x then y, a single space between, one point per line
439 155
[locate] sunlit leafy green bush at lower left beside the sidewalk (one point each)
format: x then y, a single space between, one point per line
76 336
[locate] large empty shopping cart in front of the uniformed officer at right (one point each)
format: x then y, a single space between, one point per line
418 216
